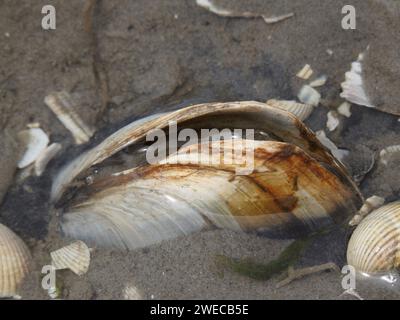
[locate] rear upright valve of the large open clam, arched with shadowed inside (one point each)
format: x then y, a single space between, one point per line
243 115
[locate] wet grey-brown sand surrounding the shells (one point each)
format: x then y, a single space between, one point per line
159 55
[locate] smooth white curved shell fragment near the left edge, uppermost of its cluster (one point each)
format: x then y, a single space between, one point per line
35 141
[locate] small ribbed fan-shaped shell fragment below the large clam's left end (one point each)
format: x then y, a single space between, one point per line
75 257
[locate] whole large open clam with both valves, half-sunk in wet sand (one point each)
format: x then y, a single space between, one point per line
296 186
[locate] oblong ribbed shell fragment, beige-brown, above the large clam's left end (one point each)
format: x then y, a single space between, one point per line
63 106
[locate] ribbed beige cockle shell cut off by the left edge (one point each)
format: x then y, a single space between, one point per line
14 262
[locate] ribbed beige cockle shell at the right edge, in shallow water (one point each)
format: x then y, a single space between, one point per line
374 246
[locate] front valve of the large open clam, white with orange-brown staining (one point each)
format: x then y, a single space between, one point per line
288 194
